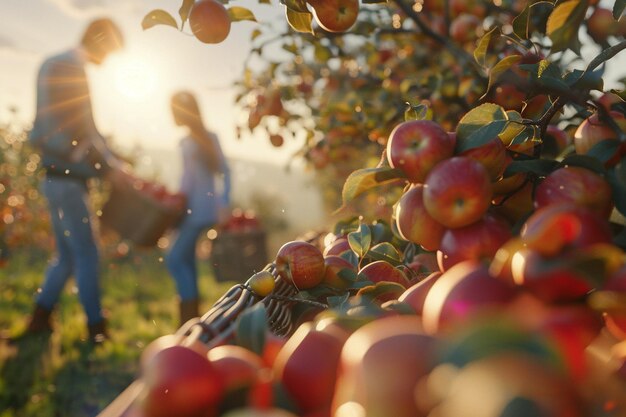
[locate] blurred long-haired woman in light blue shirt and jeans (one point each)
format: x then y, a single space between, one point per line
204 164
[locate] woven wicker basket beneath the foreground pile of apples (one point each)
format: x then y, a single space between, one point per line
217 326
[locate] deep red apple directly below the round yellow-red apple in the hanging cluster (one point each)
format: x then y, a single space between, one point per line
479 241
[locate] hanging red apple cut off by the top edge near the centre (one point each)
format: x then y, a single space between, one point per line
335 15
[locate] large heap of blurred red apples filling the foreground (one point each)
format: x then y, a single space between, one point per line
432 348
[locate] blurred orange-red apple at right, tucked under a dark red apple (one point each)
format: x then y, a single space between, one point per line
554 227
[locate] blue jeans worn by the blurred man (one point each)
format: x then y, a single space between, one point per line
77 252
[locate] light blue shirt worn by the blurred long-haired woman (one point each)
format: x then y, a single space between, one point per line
200 185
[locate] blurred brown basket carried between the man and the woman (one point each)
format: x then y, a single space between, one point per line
138 216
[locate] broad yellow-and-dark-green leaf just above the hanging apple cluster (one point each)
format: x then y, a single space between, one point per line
479 126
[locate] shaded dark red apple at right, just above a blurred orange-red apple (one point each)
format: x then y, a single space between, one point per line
577 186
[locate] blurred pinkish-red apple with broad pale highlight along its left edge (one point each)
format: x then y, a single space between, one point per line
464 290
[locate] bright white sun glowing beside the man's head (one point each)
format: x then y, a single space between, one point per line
134 77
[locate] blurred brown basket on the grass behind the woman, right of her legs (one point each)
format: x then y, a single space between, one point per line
236 255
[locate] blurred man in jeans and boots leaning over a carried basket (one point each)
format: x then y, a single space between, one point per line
72 151
